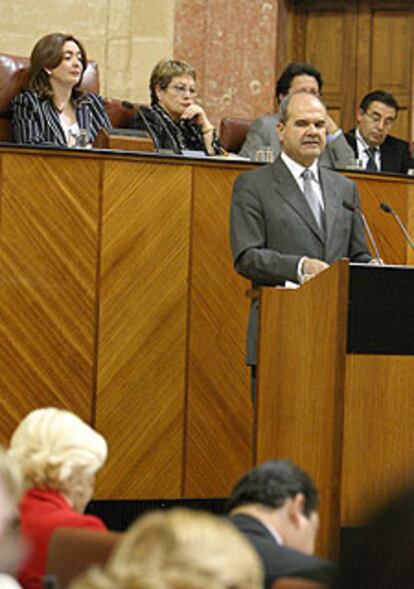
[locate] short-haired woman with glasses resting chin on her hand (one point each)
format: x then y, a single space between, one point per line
174 120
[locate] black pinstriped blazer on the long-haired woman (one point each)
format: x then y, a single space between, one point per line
35 121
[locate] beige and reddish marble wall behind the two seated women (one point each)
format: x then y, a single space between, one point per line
232 44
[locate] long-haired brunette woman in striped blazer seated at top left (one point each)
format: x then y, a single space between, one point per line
53 110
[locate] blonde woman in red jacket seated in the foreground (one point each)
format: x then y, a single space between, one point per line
59 456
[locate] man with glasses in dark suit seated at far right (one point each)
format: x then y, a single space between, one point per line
374 148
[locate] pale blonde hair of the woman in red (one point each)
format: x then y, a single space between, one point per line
52 445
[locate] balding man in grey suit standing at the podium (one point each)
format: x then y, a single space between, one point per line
292 218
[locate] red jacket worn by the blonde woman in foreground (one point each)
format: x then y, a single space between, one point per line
42 511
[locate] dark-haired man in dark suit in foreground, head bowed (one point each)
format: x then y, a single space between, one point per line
275 506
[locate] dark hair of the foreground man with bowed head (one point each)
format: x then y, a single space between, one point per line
272 483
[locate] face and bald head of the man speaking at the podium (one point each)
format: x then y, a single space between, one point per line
303 135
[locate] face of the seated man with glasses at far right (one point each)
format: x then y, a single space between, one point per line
375 123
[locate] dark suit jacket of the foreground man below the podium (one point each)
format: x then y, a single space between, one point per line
278 560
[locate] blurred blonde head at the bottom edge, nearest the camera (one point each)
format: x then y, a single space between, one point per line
178 549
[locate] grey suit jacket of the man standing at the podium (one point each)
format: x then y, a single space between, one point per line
272 228
